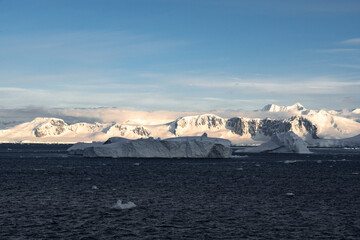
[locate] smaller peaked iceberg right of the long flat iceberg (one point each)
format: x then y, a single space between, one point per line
287 142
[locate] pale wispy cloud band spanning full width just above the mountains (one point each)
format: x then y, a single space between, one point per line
187 92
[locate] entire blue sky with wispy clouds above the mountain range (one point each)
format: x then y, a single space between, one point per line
179 55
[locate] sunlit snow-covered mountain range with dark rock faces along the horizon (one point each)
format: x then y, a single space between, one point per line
307 124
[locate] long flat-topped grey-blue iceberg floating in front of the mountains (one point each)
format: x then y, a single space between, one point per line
184 147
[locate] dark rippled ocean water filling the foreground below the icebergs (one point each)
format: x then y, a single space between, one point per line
46 194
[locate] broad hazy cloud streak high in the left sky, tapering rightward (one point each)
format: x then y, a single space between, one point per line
88 47
